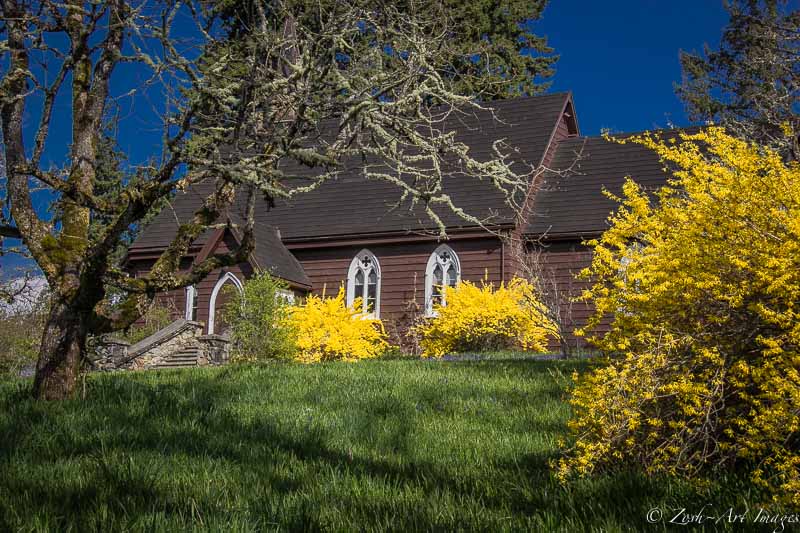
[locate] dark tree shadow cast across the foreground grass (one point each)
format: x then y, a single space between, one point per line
171 449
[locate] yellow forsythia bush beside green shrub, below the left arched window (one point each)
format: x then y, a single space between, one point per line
325 329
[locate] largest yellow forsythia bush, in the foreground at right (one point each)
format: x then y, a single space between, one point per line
703 371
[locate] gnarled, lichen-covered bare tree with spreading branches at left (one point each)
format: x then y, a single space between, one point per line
310 89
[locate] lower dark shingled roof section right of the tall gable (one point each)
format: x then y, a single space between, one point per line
574 205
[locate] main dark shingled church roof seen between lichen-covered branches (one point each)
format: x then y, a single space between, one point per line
350 205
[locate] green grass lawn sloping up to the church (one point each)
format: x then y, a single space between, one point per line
382 445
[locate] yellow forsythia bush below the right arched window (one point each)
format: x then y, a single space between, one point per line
478 318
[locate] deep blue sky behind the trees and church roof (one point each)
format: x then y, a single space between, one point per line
619 58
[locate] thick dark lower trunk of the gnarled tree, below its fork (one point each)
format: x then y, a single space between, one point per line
62 347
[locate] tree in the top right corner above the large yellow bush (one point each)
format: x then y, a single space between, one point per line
751 85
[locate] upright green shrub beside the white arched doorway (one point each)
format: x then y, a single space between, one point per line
256 320
